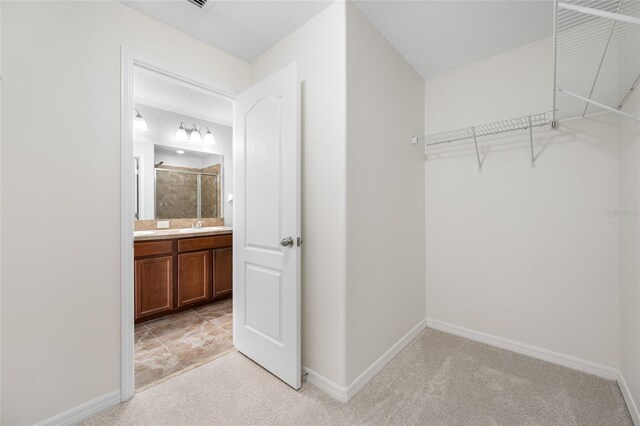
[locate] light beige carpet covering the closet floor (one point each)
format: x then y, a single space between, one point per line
438 379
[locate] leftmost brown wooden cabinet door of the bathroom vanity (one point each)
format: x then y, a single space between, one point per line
154 285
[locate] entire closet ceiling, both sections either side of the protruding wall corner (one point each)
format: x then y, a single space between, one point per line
433 36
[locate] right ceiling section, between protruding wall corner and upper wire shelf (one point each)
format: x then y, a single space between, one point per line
439 36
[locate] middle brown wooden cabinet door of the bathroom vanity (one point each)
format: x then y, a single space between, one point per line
194 277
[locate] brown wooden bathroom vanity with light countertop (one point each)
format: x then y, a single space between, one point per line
180 269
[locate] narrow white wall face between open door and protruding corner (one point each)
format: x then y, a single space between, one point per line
319 47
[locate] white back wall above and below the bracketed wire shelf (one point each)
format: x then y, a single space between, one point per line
526 254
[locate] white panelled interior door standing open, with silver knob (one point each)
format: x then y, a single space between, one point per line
266 243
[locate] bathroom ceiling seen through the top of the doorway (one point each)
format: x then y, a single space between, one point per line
161 92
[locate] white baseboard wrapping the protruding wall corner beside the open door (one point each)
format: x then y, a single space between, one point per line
344 394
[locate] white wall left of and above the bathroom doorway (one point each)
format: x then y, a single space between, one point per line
60 203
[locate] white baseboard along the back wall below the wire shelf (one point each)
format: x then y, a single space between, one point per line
600 370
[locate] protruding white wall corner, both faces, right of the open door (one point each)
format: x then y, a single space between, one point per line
343 329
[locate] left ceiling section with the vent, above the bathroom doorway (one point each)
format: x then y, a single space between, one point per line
242 28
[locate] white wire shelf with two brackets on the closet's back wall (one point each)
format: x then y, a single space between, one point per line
485 130
